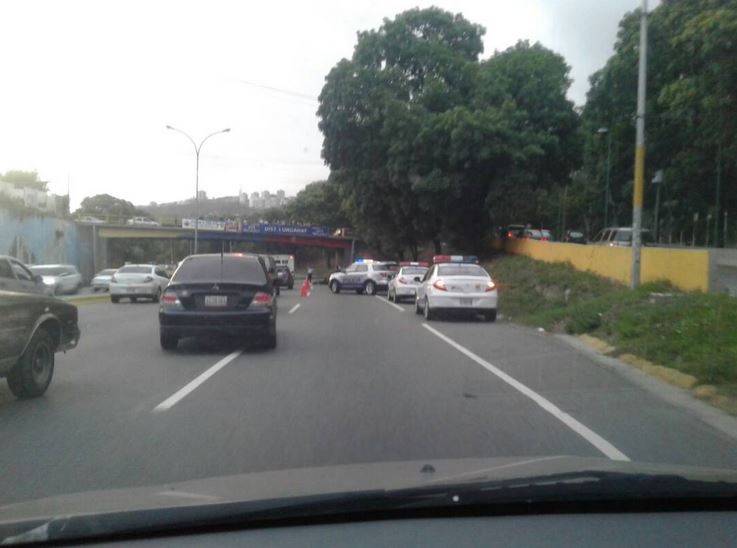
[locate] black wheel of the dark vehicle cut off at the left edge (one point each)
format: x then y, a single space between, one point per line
32 374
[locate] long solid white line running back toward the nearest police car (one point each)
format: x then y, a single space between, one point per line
589 435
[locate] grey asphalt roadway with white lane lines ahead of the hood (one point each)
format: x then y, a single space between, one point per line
353 379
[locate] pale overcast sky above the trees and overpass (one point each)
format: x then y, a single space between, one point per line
88 87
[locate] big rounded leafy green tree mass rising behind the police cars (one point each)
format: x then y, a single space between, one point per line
427 143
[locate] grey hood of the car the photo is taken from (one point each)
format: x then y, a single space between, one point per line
282 485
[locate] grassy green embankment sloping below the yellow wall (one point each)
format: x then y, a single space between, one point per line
694 333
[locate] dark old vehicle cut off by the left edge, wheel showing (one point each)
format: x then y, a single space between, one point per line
32 329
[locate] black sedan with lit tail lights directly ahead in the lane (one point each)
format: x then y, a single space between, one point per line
218 294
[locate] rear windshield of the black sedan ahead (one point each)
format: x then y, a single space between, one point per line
226 269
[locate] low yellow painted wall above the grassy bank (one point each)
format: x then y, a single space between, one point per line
685 268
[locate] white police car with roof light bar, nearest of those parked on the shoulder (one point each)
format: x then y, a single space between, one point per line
456 283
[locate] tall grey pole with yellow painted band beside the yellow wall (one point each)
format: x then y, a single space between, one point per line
637 193
